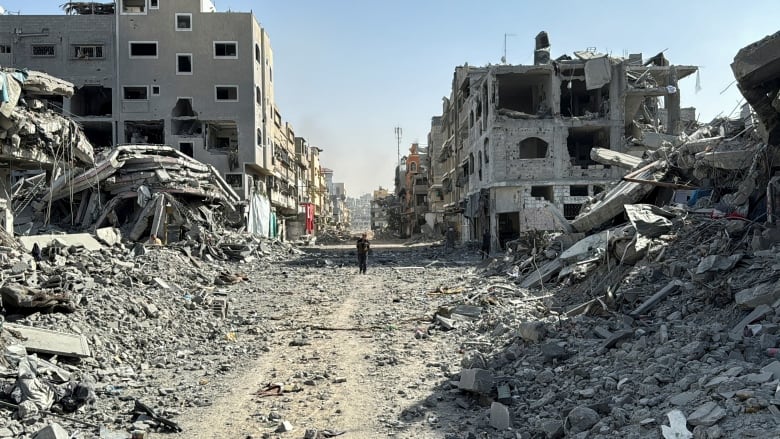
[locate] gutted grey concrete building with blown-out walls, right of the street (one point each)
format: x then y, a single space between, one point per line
514 142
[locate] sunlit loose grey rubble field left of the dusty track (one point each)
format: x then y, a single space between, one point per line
127 320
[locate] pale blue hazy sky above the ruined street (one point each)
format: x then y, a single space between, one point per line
348 71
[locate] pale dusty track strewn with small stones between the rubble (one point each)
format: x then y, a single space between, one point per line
351 351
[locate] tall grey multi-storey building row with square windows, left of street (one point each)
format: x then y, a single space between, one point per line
175 73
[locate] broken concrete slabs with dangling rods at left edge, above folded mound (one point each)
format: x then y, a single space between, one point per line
32 131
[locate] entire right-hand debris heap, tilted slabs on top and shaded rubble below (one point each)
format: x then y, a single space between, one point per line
678 267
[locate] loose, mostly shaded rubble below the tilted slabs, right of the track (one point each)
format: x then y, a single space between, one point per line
691 327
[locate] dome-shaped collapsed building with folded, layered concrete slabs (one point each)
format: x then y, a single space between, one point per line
143 190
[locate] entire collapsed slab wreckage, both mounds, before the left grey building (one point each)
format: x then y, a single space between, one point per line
145 190
